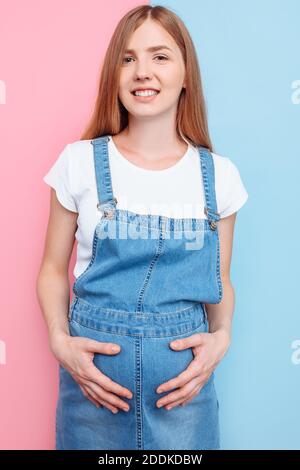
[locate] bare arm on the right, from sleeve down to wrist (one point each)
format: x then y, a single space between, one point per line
220 315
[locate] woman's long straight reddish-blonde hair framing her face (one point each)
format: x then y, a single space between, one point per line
111 117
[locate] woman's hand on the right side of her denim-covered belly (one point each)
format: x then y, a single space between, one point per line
208 350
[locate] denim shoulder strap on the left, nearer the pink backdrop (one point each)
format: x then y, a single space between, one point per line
106 199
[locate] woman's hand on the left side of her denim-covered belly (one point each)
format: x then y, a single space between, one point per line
75 354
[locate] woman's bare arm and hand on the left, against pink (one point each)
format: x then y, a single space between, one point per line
75 354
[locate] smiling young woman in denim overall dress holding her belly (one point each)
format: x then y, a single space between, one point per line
153 211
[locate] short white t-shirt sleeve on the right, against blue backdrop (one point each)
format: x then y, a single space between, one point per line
235 194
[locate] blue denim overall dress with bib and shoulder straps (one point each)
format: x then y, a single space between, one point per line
144 287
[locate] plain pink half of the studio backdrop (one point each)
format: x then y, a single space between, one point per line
51 54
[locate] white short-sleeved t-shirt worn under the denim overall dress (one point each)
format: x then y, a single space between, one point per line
173 192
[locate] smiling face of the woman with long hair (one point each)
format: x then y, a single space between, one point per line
142 67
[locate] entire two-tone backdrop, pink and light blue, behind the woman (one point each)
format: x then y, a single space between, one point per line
249 58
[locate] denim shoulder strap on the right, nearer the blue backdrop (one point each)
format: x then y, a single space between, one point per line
208 176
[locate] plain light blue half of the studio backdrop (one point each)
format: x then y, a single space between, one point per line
249 57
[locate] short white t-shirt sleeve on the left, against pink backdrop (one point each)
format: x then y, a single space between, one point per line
60 178
